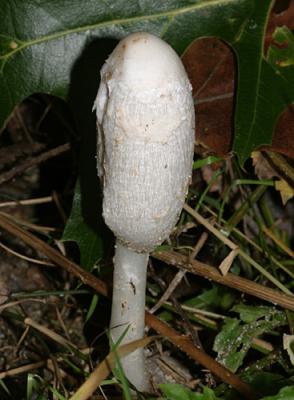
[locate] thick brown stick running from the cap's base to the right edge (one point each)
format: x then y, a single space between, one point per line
230 280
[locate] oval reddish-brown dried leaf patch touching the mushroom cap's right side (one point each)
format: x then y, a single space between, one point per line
210 66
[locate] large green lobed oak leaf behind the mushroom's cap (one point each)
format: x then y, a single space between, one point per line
58 47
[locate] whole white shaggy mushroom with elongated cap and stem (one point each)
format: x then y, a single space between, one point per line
145 119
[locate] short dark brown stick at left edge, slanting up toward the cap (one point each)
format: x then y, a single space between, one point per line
13 172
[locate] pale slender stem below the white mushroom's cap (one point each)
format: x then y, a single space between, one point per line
128 309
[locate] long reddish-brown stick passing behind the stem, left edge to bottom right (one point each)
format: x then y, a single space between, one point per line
98 285
